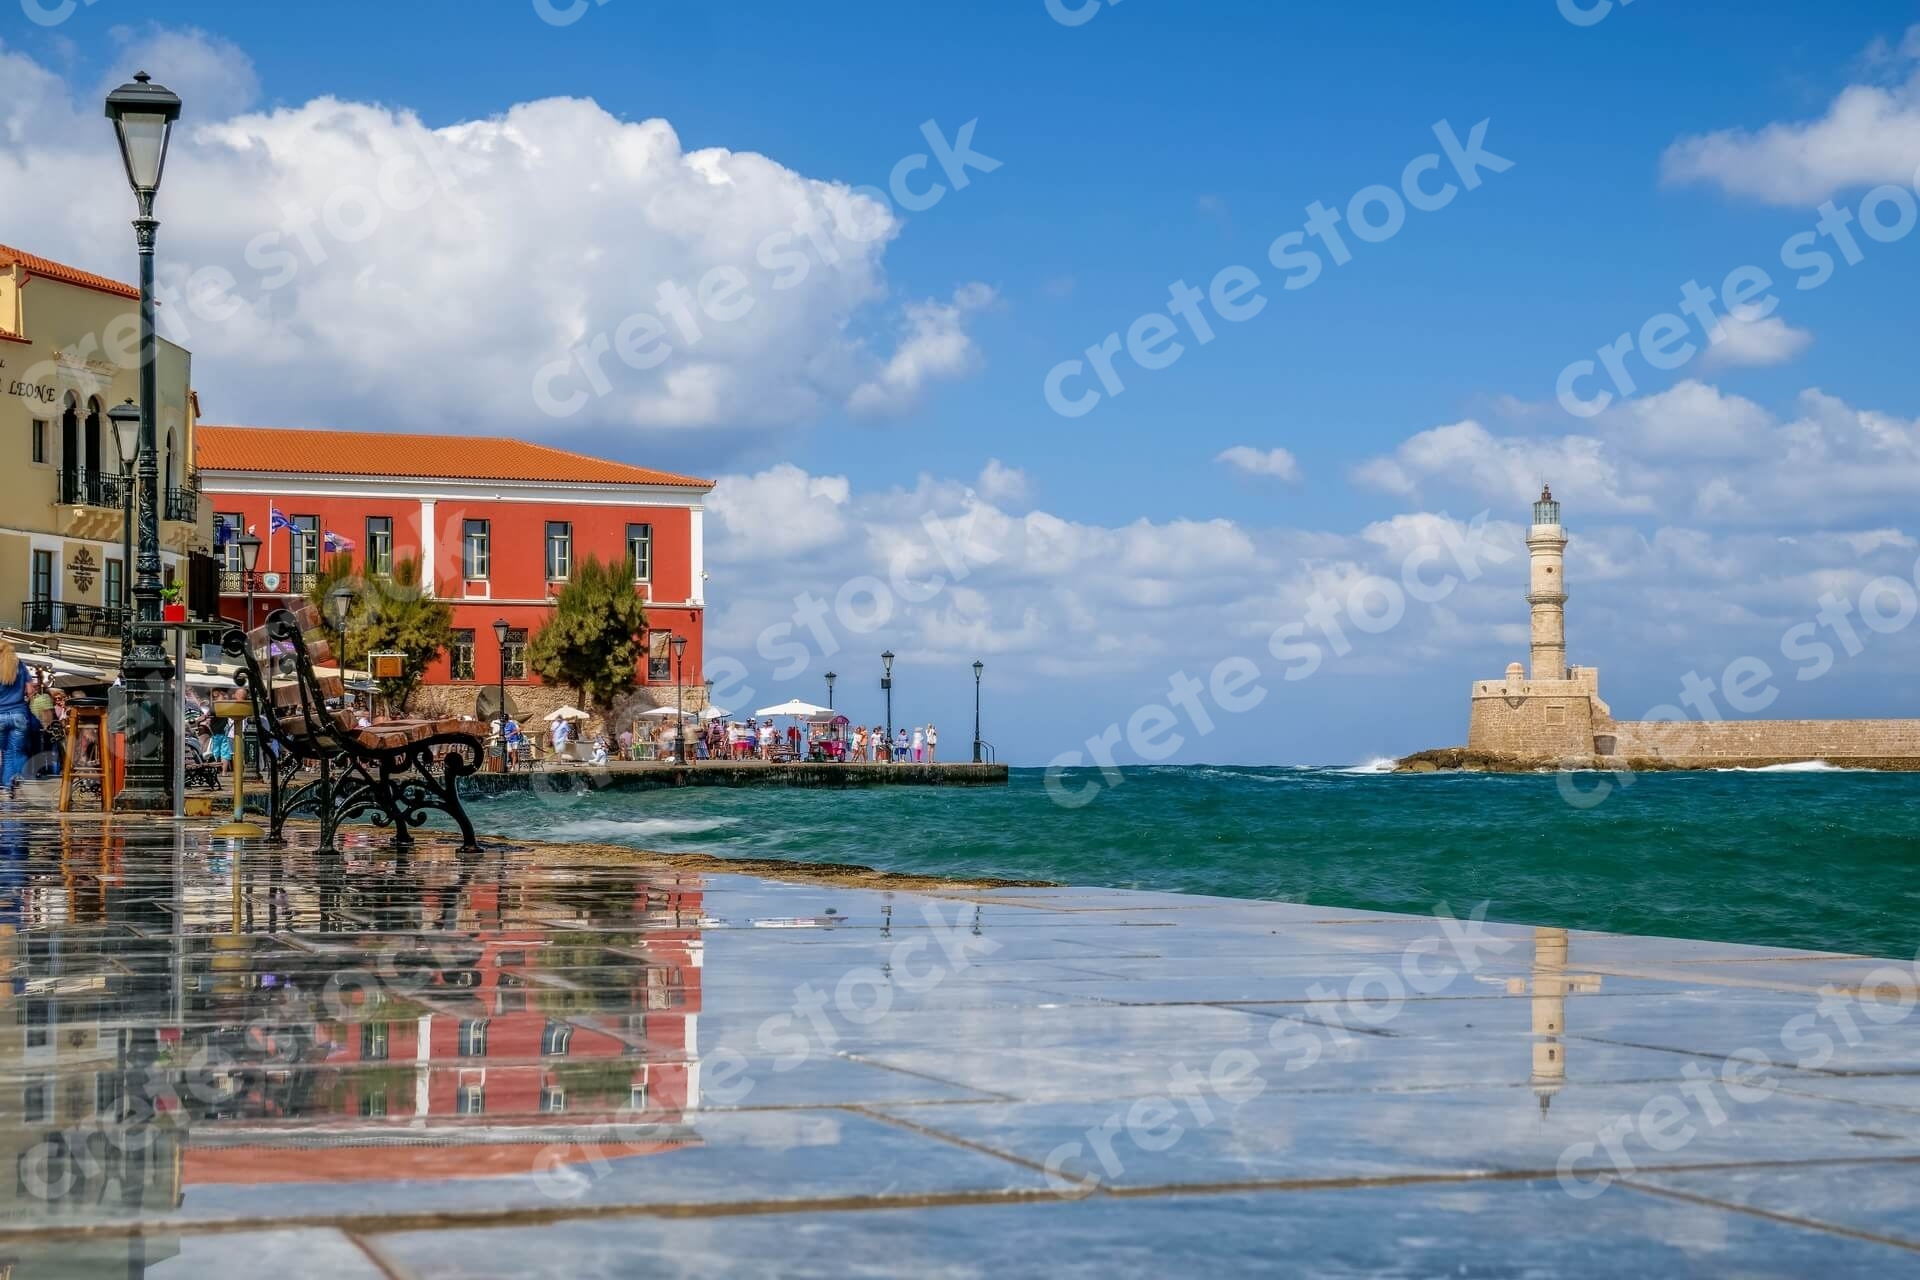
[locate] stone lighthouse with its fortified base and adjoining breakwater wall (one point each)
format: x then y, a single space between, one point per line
1554 717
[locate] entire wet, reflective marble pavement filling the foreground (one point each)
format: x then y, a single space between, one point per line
544 1062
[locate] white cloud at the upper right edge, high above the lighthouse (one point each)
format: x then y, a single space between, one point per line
1867 137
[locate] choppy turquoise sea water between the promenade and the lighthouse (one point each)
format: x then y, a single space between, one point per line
1792 859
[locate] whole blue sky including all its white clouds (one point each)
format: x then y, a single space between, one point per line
898 243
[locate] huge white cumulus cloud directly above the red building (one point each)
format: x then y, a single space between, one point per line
347 264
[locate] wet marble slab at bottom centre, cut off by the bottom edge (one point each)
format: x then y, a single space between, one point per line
1506 1231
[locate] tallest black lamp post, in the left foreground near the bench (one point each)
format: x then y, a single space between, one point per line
143 118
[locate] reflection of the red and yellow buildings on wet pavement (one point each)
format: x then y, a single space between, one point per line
176 1022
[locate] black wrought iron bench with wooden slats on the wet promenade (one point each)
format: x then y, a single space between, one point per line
393 770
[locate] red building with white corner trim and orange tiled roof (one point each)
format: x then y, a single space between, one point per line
498 525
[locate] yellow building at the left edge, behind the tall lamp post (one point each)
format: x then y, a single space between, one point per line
70 348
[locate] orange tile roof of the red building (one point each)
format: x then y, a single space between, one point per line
304 452
